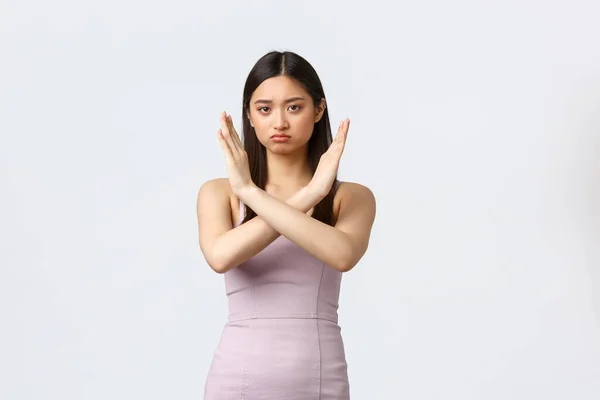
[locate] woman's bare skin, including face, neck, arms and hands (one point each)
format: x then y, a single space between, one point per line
284 207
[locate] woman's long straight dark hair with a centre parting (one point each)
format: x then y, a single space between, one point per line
290 64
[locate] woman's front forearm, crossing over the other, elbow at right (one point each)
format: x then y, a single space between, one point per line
323 241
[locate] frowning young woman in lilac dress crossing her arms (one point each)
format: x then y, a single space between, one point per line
282 229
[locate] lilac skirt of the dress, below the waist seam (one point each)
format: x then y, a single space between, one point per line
279 359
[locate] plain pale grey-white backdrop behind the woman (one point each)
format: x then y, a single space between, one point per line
476 124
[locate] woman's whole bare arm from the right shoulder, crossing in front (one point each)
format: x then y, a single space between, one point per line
340 247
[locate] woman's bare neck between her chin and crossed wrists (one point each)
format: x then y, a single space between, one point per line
288 170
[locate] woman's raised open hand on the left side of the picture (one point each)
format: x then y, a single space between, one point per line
238 169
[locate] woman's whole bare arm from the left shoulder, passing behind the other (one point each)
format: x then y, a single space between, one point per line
225 247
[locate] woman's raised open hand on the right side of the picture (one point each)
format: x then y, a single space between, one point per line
330 160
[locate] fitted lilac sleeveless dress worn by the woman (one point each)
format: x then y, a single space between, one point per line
282 340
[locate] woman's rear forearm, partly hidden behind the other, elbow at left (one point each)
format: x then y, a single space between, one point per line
245 241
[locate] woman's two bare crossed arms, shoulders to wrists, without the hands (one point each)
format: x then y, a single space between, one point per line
341 246
